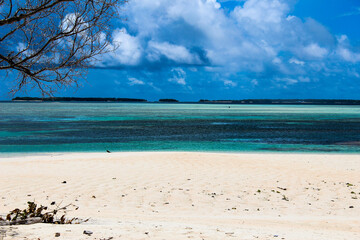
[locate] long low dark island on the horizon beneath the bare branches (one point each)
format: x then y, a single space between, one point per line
74 99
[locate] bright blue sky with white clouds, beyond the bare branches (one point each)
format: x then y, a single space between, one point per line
223 49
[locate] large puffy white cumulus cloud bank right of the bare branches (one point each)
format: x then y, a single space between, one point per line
259 39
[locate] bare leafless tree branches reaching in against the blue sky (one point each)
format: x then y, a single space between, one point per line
51 43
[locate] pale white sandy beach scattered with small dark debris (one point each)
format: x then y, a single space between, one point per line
188 195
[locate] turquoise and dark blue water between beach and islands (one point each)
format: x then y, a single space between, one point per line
69 127
